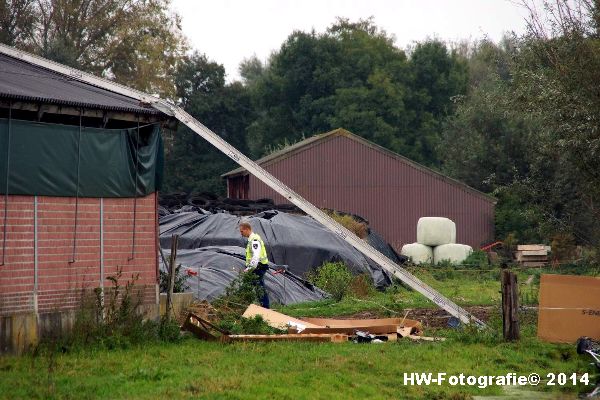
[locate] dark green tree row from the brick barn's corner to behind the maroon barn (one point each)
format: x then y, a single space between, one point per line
351 76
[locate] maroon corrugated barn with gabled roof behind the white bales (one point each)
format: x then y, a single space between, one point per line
342 171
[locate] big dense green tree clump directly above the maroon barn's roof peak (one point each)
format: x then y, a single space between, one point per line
353 76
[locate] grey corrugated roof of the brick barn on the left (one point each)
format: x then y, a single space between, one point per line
22 81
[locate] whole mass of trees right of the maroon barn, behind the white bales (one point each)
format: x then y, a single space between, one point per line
528 128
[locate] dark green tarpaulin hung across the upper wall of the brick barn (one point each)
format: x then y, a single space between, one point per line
46 159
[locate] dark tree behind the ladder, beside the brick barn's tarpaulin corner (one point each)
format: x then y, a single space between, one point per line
193 164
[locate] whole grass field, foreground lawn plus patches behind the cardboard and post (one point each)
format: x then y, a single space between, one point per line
192 369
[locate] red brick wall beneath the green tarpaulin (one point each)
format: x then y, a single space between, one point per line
60 281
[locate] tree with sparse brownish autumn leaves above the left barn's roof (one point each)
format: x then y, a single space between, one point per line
135 42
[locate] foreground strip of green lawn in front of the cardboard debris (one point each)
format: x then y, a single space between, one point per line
200 370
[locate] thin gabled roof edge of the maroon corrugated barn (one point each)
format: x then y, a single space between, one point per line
317 139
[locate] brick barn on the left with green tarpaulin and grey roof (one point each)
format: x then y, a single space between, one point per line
79 171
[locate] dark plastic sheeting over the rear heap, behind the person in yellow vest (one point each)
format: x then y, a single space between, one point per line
294 240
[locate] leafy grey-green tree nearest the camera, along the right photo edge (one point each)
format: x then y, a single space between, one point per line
556 82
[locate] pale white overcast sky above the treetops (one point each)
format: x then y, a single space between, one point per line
228 31
